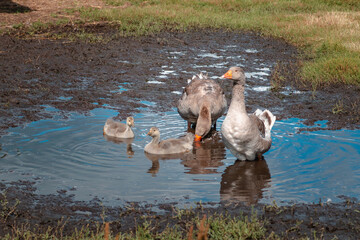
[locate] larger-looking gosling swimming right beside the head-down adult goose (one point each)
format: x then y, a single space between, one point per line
168 146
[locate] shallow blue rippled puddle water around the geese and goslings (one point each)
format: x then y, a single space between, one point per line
74 155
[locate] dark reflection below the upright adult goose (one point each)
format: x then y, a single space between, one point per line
245 181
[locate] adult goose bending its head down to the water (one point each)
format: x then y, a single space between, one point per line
202 102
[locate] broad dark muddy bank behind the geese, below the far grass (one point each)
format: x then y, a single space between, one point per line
79 76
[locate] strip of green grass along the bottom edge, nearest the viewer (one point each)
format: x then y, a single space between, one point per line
214 227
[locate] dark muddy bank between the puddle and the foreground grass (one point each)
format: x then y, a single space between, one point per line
63 215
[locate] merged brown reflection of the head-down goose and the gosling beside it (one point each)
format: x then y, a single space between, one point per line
205 158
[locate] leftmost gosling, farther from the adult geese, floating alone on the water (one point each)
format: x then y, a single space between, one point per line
120 130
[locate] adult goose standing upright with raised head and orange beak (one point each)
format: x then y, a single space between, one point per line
246 136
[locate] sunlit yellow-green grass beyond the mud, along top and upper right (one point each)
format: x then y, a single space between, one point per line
307 24
